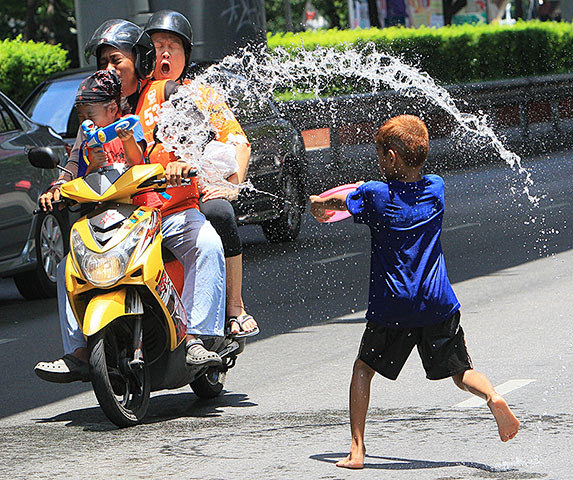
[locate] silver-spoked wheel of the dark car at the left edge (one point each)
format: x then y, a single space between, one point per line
51 247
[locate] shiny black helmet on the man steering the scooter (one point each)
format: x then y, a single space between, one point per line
128 37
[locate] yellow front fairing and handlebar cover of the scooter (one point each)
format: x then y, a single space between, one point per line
115 250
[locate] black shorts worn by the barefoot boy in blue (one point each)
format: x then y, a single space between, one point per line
442 348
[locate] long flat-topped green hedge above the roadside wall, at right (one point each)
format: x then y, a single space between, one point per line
458 53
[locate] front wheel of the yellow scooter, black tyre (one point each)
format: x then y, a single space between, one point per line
122 391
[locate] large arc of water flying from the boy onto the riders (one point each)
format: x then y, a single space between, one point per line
252 76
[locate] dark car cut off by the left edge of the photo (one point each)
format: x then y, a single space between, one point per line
31 245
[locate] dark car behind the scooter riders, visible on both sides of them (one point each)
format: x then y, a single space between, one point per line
277 163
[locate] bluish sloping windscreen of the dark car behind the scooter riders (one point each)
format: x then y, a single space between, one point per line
52 105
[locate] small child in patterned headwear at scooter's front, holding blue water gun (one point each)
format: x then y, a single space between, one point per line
99 99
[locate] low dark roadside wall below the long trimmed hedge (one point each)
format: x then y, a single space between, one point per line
529 115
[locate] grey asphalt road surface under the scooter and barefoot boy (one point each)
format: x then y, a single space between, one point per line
284 413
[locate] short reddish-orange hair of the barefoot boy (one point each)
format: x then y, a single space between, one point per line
408 136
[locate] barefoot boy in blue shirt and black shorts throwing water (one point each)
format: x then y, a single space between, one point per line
411 301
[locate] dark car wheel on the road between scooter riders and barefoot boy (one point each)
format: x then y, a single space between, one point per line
286 227
